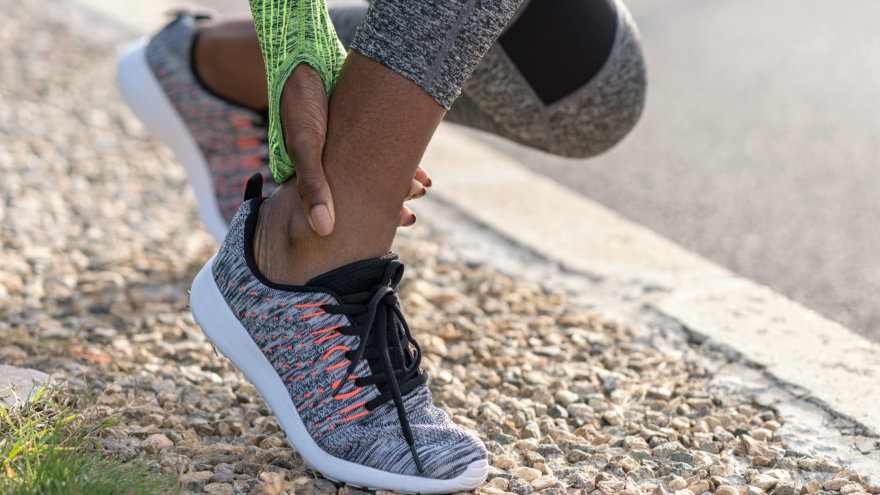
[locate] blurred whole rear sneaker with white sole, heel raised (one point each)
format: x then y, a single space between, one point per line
219 143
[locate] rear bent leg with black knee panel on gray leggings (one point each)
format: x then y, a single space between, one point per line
529 88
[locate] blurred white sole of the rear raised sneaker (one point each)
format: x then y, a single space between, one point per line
144 95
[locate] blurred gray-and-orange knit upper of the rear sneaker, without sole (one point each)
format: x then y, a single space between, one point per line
232 138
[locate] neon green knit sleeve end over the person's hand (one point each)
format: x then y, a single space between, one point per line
292 32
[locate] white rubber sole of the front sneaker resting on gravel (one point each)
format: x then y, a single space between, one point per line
226 332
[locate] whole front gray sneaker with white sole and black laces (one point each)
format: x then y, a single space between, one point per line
336 362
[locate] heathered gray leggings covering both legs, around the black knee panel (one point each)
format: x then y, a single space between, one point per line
495 94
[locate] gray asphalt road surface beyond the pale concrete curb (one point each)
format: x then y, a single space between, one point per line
759 145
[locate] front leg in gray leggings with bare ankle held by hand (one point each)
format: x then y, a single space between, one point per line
380 124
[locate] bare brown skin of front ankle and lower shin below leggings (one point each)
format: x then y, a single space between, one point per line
379 126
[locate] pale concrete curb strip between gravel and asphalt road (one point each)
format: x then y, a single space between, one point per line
832 364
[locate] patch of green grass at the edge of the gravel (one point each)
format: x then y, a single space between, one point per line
48 446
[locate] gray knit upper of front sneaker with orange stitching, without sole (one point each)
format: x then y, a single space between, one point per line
341 346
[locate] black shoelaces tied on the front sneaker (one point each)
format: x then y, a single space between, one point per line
384 341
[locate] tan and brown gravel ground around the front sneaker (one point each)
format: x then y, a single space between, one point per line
100 241
